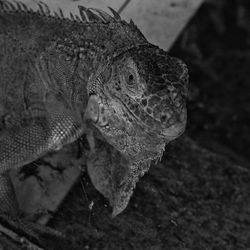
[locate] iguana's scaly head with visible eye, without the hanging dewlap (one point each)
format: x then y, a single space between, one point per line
137 101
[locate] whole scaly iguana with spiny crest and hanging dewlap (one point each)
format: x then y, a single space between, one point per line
92 74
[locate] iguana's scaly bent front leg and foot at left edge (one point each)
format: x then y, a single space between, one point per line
22 145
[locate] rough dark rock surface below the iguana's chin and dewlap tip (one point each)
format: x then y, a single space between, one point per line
193 199
